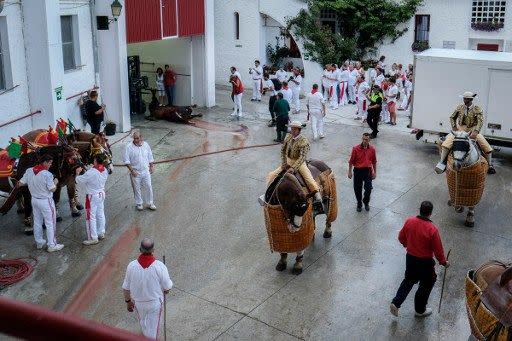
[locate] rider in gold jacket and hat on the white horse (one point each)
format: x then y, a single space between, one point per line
467 117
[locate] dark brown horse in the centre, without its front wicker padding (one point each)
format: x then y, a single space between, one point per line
289 191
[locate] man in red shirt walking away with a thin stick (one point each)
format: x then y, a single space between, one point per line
421 239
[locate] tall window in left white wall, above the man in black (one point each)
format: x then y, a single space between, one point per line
70 44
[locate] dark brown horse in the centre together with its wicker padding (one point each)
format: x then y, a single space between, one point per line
289 213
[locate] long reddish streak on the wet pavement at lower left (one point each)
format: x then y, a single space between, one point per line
102 273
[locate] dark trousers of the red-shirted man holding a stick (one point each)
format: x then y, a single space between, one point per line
417 270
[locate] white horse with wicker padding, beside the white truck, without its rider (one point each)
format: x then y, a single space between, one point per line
466 173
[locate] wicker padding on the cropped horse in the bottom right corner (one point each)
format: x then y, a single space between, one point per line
484 325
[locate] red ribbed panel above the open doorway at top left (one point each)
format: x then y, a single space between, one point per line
157 19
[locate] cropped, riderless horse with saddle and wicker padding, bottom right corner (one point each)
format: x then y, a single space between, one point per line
489 301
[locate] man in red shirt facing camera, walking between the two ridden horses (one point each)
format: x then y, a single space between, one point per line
363 161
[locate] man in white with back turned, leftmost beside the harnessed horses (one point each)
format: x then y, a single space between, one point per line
41 185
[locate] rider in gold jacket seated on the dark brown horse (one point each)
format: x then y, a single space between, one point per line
293 155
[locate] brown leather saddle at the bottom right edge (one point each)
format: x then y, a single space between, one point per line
497 297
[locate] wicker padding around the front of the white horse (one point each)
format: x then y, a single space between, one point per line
467 185
